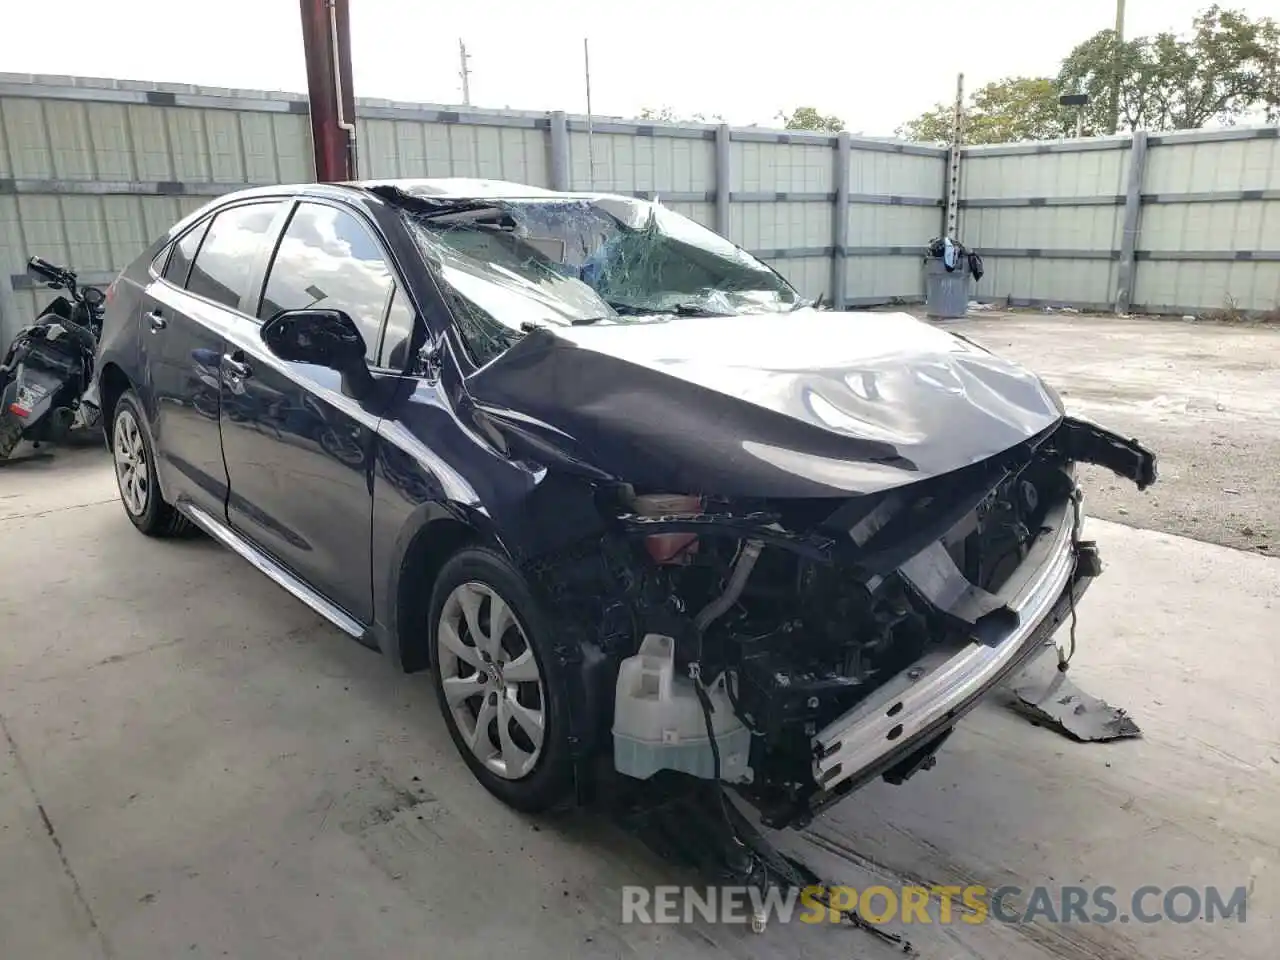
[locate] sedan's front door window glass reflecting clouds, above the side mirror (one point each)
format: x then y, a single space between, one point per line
330 260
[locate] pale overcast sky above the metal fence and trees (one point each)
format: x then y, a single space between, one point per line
872 65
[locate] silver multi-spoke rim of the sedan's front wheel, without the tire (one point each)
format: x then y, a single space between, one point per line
491 680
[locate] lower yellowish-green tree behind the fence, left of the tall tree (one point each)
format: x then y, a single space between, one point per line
1016 108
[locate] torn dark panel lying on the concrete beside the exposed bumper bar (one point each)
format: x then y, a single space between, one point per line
1049 697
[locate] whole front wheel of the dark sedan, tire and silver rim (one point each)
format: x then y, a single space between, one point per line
497 680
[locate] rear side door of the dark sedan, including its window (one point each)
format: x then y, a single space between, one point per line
186 312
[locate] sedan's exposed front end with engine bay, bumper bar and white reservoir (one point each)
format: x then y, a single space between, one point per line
748 641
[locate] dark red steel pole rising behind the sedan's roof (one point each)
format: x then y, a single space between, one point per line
327 47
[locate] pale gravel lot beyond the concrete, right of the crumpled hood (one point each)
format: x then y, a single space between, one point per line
1205 397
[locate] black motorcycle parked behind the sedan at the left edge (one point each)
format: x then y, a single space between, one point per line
51 364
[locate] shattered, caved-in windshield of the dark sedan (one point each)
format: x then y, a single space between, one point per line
513 266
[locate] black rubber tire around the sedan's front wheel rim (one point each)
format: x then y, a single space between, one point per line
548 783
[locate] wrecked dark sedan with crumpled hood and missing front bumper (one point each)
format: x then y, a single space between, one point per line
630 497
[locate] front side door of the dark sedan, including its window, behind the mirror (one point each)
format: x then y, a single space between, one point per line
298 446
